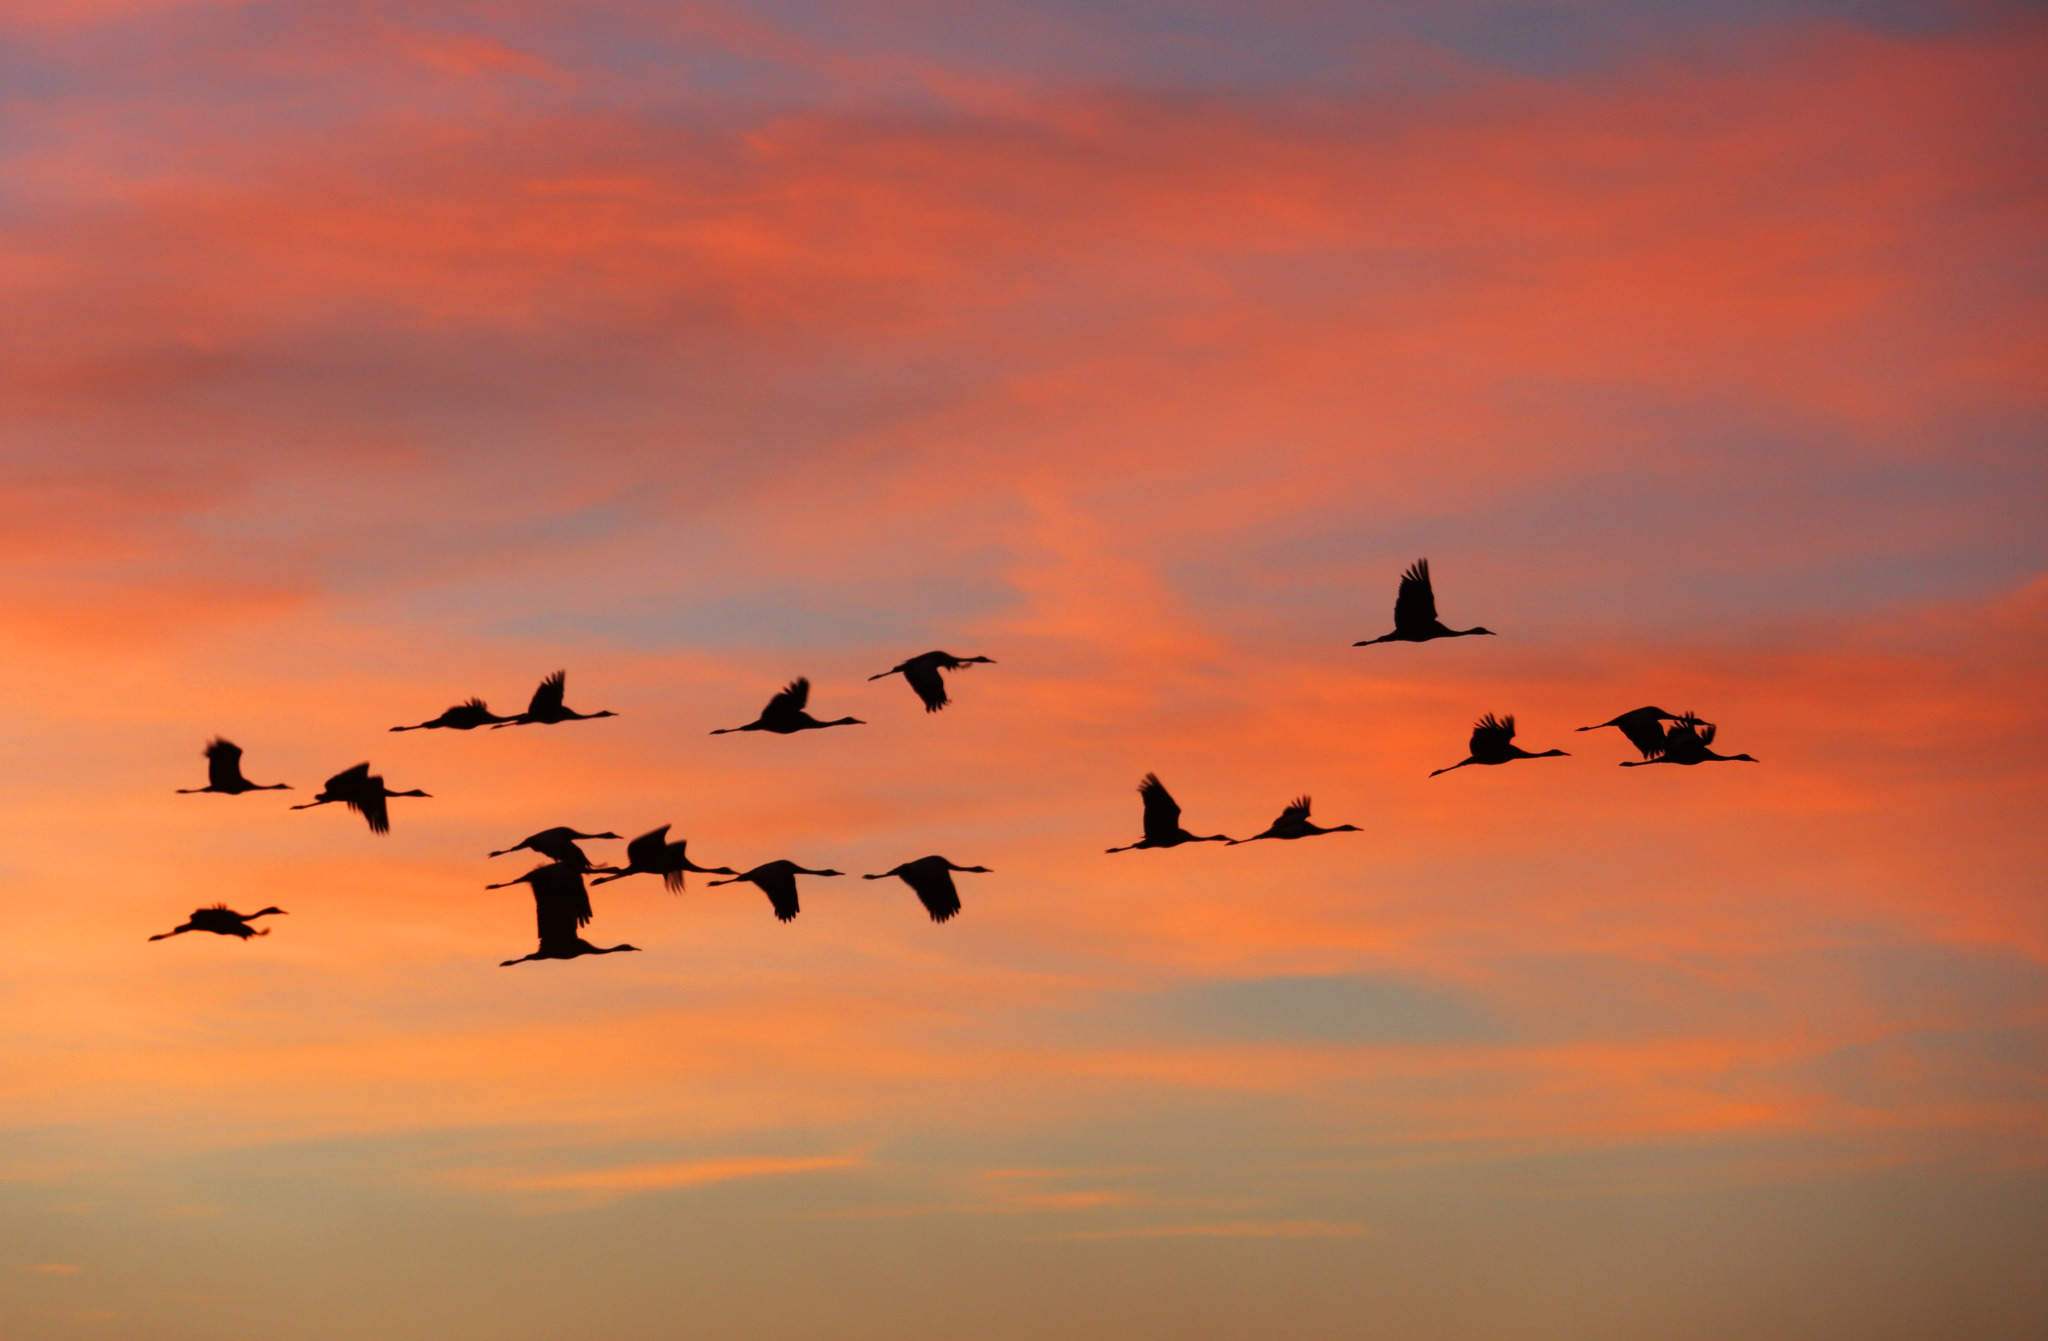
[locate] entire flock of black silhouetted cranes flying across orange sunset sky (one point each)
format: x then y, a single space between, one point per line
562 896
